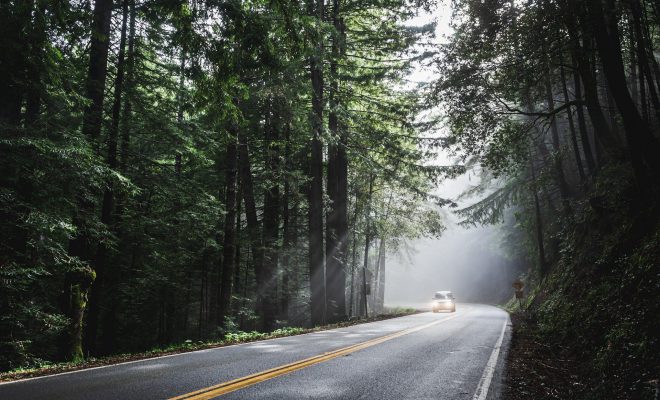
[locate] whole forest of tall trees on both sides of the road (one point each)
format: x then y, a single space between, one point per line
178 170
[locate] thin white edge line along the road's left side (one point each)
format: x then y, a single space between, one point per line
189 352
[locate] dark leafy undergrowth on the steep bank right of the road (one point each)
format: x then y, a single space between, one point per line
599 306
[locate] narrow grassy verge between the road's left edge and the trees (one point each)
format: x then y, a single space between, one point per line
189 346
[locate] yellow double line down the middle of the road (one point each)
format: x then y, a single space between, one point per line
240 383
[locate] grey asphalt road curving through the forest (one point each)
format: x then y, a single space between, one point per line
422 356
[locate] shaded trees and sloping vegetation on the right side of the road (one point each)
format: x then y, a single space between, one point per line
557 105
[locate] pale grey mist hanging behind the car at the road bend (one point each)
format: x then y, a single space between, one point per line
468 261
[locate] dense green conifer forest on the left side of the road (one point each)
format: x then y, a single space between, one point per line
183 169
